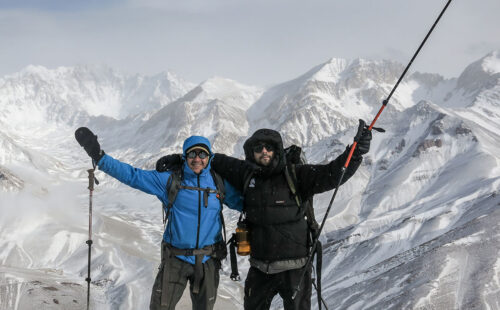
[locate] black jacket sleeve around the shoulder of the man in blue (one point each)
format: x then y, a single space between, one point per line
231 169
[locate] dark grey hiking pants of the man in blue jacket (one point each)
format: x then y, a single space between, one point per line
179 273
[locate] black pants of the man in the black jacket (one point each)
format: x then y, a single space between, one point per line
260 288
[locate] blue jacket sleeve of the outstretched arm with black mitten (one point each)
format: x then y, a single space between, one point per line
148 181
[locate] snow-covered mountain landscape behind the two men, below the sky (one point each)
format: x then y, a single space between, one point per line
417 227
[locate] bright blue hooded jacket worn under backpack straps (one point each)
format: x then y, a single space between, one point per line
191 225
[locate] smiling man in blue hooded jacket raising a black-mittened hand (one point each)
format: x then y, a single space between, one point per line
192 242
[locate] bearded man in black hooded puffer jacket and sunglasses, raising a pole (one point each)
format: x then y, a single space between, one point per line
278 228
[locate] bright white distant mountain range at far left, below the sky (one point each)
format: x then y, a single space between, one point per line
68 94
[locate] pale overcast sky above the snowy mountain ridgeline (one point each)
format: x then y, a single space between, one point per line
257 42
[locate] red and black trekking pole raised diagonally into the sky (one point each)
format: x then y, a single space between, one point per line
353 147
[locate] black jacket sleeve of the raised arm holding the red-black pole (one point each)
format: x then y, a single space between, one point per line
314 179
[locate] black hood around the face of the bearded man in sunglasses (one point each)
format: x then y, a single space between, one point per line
273 138
